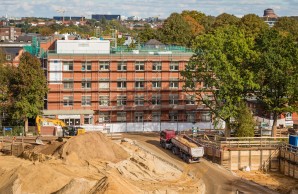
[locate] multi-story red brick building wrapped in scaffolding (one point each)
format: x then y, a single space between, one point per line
135 90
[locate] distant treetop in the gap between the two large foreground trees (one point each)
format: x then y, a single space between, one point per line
252 25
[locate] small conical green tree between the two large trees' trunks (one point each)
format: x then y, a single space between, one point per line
244 122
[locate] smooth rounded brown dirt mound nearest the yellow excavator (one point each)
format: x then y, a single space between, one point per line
92 146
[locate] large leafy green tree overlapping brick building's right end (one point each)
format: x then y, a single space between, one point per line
219 72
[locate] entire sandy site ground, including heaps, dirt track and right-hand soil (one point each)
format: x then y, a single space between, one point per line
136 163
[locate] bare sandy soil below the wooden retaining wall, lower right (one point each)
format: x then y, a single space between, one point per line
272 180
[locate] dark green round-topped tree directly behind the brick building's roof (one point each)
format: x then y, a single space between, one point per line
176 31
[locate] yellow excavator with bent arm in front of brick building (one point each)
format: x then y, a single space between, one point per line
66 130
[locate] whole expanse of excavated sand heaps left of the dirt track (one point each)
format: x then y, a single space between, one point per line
92 163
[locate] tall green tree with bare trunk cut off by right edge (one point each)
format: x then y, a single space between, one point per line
277 73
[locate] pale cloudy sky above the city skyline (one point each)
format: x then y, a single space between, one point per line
143 8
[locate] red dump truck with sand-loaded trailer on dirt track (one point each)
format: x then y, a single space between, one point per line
181 146
